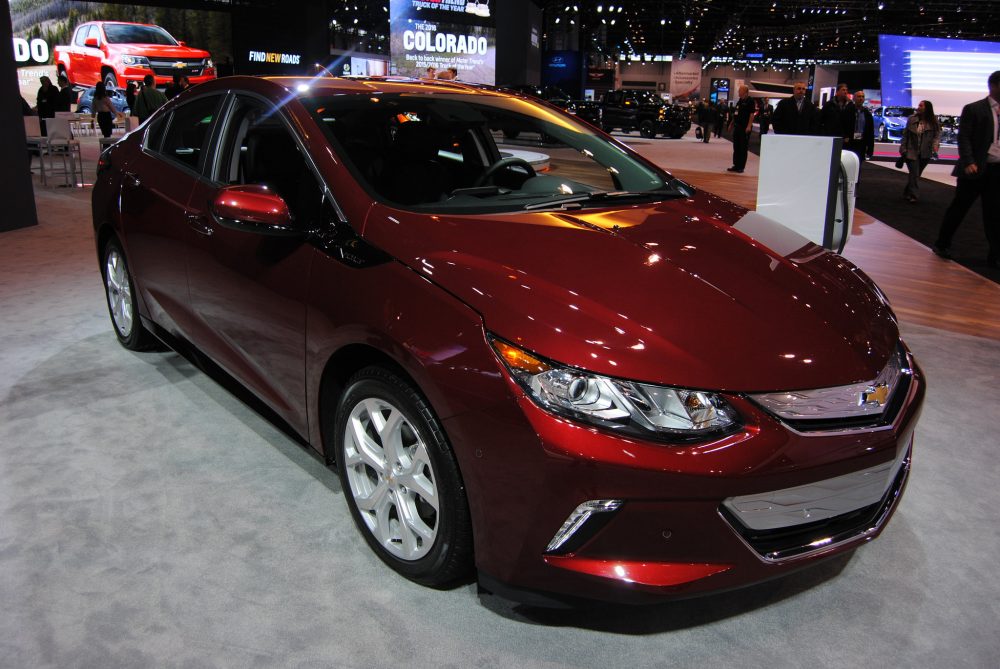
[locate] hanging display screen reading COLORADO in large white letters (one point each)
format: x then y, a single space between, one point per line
443 39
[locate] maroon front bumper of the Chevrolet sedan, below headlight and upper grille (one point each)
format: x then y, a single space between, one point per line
674 535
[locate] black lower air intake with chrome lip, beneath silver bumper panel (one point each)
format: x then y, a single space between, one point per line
783 543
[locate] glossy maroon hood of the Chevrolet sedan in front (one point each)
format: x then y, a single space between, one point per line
697 292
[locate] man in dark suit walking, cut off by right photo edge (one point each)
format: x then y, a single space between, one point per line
978 171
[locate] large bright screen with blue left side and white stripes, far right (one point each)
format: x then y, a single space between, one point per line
950 73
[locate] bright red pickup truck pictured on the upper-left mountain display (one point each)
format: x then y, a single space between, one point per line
116 53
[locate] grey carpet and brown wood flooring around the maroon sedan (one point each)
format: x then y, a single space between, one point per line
148 517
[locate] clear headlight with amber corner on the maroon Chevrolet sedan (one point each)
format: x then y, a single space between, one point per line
639 409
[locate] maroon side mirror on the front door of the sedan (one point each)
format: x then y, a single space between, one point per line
253 208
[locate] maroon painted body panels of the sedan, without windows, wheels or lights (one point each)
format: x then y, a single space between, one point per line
669 293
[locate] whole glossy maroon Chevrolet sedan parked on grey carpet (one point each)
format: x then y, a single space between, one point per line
544 361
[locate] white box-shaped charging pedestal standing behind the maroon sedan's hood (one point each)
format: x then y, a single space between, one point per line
807 184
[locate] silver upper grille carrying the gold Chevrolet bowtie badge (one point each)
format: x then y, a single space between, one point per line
856 400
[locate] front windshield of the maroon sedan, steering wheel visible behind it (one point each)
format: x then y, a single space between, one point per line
456 152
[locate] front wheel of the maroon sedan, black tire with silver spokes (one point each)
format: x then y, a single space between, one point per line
448 557
